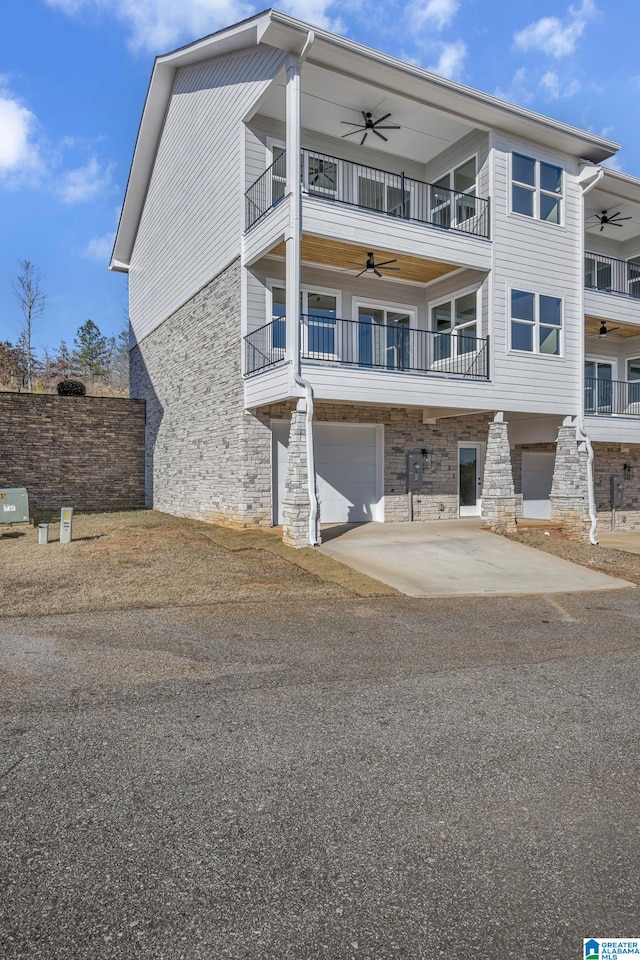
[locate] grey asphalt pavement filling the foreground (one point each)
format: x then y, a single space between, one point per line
347 779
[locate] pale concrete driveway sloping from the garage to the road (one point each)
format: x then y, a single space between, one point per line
455 557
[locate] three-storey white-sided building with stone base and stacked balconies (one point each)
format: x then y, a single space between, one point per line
351 278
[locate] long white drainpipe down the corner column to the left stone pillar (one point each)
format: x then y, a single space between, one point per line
293 93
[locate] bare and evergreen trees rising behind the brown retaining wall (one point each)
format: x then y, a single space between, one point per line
101 362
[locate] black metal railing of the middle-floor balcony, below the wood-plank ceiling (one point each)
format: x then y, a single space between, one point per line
356 343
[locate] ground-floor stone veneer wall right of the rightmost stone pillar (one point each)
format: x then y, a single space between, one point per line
610 461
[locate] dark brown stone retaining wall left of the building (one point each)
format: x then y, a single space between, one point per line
81 452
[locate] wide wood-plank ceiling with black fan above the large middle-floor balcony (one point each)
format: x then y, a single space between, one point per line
351 258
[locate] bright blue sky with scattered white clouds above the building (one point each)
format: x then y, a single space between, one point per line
74 75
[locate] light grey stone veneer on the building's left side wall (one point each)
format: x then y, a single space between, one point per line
205 457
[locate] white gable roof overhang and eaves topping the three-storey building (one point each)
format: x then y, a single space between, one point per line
347 57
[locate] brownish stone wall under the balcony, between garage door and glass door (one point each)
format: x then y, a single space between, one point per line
405 432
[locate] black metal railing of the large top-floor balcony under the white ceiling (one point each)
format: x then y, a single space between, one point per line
368 188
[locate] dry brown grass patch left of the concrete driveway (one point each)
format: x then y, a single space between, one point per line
143 559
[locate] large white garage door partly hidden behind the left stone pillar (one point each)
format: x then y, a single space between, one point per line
346 467
